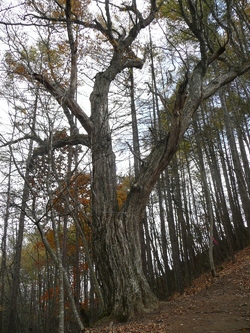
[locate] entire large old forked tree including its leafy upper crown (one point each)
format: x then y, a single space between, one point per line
218 28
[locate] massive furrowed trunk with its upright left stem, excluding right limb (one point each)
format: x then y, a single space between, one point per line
115 234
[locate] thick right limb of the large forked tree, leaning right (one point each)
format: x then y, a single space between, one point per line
164 150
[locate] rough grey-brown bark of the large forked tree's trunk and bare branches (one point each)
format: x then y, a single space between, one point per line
116 232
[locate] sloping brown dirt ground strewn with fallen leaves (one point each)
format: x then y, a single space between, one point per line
220 304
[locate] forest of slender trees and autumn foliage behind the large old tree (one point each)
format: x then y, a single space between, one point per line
198 212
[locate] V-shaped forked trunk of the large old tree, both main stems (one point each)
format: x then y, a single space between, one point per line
116 234
